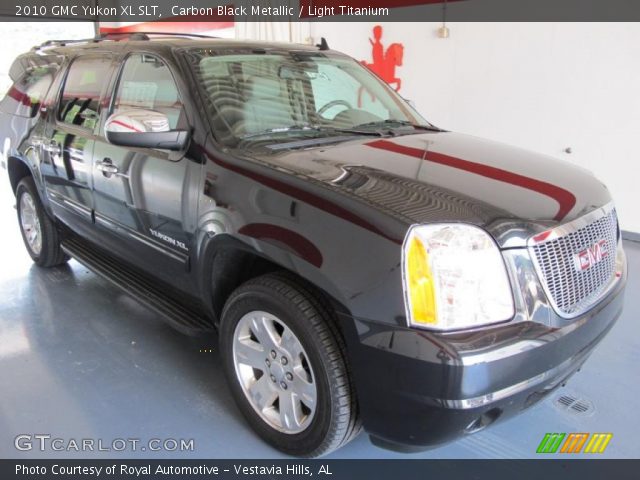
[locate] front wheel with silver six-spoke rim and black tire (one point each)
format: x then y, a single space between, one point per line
282 307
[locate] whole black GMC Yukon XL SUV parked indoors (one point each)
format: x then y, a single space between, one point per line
362 267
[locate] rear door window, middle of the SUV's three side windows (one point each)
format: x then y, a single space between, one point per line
80 100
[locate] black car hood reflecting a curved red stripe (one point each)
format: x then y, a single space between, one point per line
451 177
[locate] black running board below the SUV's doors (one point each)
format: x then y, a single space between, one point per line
180 317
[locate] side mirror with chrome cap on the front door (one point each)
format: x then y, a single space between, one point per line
143 128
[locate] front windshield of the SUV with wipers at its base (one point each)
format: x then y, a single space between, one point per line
272 96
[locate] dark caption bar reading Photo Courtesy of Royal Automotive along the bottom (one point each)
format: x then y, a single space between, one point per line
297 469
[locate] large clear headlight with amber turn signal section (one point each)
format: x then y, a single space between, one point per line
454 277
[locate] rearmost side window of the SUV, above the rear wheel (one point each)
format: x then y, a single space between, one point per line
26 95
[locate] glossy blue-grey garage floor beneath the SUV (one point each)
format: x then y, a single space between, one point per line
79 359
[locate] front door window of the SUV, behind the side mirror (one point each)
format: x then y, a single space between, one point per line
146 82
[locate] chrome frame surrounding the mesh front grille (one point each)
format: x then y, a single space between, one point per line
562 231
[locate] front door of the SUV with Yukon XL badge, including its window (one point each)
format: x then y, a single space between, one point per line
140 194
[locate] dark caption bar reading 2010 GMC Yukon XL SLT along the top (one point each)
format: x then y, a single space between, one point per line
229 11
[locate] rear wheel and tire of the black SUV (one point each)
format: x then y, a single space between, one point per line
39 233
